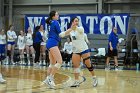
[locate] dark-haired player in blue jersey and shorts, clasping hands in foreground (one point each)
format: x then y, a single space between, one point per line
52 45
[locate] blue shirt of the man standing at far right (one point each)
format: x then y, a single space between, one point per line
113 38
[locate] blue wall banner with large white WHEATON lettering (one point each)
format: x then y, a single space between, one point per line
92 23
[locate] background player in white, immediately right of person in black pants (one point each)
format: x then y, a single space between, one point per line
43 45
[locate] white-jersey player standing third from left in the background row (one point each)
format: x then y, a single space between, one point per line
21 46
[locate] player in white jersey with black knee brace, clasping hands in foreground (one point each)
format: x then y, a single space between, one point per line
80 49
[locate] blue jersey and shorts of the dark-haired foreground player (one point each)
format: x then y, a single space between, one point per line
53 34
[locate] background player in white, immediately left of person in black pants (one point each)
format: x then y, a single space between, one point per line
29 46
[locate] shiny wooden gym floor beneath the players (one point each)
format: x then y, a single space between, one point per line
26 79
